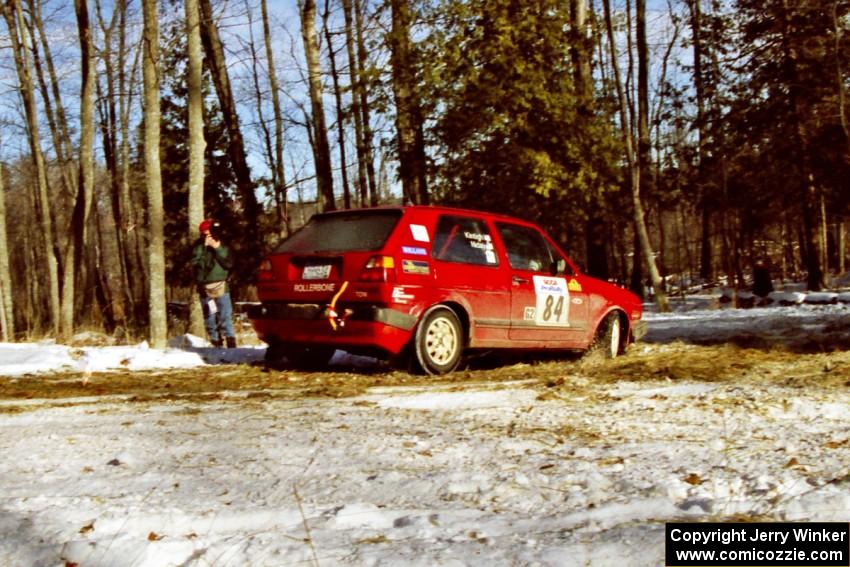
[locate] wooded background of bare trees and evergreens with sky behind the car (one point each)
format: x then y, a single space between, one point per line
672 144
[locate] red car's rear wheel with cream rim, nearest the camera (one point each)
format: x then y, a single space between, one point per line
438 343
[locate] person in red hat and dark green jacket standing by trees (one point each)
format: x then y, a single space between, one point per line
212 263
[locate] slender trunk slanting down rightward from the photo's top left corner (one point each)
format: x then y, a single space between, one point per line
12 14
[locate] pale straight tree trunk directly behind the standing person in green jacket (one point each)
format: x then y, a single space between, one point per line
197 145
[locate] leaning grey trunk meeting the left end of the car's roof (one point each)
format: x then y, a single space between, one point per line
322 153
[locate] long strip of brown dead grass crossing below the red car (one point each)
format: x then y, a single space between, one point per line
254 382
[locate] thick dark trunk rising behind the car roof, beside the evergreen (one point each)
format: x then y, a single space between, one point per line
411 144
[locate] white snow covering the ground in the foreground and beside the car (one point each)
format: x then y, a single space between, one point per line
510 473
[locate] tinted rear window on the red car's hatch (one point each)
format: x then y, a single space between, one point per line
342 232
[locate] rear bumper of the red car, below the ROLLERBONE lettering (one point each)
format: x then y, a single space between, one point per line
365 327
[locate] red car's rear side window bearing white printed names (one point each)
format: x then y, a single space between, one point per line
463 239
